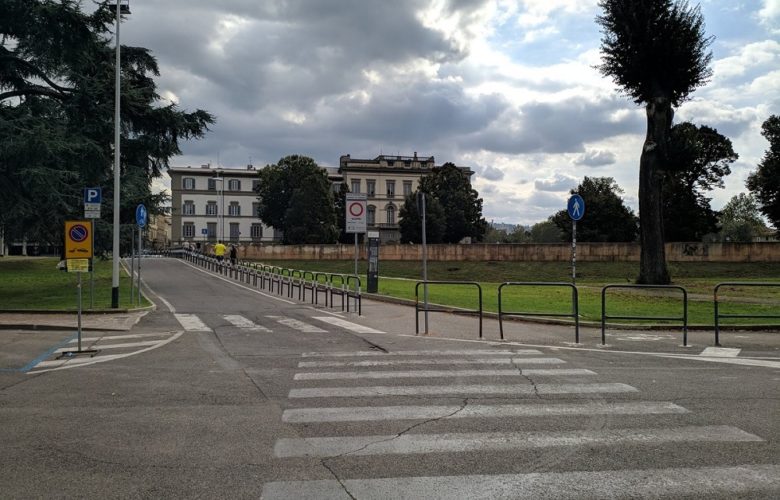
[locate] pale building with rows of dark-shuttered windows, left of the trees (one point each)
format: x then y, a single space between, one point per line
210 204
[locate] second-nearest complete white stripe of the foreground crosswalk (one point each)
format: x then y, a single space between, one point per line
500 441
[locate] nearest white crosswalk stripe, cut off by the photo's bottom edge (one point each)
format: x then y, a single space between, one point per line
700 482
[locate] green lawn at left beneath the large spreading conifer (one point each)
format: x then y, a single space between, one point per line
35 283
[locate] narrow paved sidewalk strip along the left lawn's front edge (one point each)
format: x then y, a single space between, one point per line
123 321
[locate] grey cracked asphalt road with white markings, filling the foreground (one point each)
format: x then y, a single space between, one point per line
229 392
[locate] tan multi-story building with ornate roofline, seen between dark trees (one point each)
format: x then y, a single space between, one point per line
386 181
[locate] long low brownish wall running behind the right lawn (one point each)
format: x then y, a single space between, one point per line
586 252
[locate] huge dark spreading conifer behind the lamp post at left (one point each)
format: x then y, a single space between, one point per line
57 117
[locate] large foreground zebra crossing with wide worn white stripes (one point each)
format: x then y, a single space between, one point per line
489 387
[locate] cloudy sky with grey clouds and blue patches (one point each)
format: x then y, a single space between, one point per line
506 87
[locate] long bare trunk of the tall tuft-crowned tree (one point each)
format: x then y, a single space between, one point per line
652 263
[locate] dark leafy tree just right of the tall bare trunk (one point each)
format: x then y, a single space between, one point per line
699 159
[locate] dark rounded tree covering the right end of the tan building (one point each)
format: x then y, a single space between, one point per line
451 187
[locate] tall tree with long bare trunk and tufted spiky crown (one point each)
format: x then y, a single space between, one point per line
657 52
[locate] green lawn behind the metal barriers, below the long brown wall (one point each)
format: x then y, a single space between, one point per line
397 279
